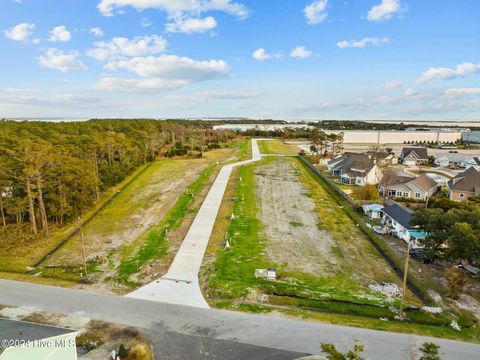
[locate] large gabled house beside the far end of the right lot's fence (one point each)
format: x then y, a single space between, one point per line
355 169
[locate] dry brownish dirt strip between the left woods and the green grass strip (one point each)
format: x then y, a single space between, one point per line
140 206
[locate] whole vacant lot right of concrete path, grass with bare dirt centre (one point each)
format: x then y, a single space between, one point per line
356 262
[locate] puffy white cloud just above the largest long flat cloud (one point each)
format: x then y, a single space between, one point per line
120 47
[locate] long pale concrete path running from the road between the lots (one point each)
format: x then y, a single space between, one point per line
180 284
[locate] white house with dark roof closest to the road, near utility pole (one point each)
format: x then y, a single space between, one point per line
397 219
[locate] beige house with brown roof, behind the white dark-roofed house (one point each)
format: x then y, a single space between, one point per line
419 188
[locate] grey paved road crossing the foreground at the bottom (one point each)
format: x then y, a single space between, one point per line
219 334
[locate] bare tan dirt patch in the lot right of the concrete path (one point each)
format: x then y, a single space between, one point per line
289 220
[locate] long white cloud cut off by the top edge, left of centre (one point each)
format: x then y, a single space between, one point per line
175 8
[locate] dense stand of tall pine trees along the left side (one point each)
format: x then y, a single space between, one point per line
52 172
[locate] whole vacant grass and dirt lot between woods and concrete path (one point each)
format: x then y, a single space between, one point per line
130 231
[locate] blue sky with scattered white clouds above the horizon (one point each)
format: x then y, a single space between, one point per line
282 59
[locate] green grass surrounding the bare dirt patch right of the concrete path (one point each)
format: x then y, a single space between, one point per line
235 268
